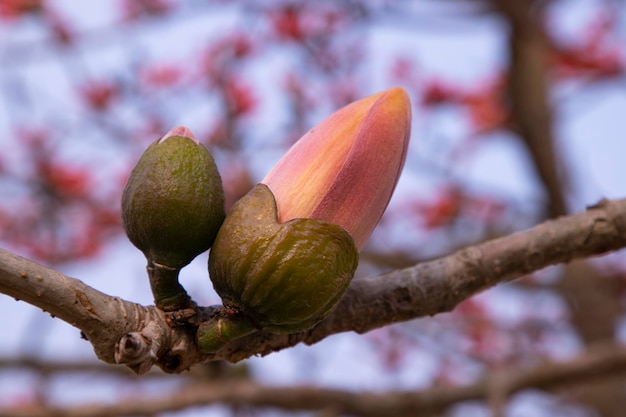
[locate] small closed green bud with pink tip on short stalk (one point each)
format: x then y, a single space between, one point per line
172 208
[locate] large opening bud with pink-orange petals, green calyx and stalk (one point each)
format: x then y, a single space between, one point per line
288 250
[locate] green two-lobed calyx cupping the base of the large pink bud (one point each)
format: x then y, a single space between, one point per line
284 277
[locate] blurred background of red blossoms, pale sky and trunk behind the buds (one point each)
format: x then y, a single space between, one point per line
519 116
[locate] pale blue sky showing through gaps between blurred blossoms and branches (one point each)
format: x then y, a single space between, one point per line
589 129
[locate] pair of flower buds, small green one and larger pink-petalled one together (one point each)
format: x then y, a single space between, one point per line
284 255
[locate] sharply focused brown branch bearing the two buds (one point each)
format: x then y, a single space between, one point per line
113 325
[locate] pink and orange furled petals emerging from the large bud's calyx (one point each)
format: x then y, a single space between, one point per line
346 168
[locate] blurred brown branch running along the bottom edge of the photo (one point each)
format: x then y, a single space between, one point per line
599 361
